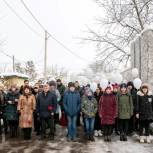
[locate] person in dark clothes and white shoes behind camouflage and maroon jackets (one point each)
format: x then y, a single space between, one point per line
97 126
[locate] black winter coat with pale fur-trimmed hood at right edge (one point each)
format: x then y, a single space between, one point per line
145 106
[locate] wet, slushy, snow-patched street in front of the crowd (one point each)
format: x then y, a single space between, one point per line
60 145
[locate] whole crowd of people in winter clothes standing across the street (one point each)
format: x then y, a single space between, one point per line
118 108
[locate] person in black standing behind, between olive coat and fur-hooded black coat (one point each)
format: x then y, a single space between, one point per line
133 123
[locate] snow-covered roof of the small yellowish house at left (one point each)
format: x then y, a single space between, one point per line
11 74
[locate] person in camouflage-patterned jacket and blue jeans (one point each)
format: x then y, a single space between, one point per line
89 107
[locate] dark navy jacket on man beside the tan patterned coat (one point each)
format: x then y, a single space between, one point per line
44 102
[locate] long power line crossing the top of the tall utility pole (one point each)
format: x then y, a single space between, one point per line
53 37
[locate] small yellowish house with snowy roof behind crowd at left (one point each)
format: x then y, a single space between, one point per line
12 78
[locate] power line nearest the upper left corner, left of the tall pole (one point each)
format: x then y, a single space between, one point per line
21 19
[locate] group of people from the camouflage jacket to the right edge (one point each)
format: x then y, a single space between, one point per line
119 107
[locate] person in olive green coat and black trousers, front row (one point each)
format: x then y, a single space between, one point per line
125 111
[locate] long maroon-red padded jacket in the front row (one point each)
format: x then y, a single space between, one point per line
108 109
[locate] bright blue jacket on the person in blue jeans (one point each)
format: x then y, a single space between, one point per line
72 103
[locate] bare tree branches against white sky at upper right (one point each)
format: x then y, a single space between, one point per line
123 20
